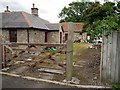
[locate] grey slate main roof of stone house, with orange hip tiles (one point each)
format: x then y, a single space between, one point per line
22 20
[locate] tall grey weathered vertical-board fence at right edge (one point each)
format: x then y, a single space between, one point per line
110 59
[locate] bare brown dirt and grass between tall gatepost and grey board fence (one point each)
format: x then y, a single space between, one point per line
88 71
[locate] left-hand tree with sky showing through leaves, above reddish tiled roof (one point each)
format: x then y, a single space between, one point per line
74 12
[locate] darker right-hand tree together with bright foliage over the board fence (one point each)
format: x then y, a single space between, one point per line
102 18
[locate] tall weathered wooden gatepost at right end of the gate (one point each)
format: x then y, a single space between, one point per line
69 61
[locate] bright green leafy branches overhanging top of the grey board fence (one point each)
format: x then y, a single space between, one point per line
107 25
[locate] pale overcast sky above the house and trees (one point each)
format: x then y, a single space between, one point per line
48 9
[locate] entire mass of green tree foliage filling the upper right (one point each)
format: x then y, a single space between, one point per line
97 18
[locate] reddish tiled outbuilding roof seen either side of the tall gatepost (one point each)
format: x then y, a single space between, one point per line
78 27
